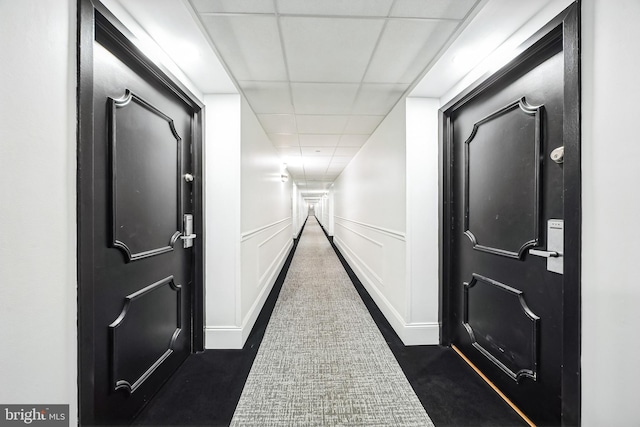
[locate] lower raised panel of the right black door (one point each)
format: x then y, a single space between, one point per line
502 327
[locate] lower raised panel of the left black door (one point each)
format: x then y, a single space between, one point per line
144 334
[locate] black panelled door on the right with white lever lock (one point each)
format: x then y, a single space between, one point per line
505 250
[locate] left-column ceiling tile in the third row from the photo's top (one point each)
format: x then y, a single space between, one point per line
268 97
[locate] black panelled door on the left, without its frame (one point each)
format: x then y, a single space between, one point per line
142 135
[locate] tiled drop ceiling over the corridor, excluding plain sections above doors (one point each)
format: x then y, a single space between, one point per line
322 75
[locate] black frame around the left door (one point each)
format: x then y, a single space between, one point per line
94 19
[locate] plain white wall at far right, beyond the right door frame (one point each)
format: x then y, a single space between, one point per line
611 202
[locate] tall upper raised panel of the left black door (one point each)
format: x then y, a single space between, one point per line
146 174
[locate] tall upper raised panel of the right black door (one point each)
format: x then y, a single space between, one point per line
504 148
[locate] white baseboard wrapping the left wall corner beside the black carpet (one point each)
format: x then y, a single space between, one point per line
234 337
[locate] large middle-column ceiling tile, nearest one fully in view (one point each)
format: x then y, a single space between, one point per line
329 50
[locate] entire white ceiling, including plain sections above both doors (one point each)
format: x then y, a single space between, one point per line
322 74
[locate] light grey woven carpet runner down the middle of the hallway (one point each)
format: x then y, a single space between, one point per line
323 361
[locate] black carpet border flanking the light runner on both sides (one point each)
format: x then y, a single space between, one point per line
206 389
